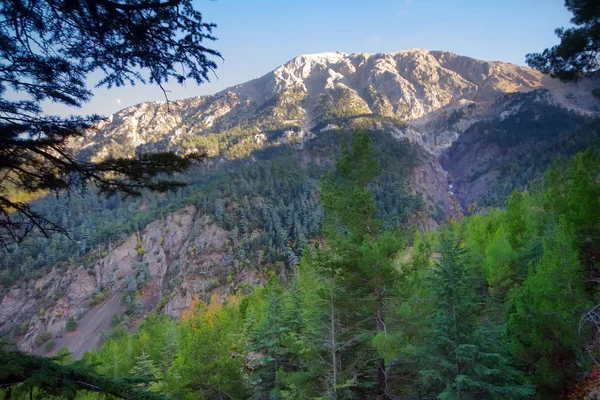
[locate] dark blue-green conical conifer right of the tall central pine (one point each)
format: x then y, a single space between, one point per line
462 359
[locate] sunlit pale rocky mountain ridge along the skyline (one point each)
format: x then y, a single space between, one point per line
413 85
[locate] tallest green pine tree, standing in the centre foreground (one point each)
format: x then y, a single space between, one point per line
355 231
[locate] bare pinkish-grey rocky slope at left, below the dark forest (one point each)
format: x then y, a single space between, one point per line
183 246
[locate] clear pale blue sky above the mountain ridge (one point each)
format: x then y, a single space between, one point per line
257 36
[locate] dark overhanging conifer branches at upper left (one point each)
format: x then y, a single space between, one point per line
48 49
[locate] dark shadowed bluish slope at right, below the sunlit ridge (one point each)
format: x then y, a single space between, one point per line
494 156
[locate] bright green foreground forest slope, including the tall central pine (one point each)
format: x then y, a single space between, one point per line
497 305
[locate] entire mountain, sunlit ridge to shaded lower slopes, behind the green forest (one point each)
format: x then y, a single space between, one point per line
452 133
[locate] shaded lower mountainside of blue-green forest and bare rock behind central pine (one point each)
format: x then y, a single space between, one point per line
249 216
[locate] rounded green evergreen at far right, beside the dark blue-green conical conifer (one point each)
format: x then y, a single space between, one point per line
545 312
